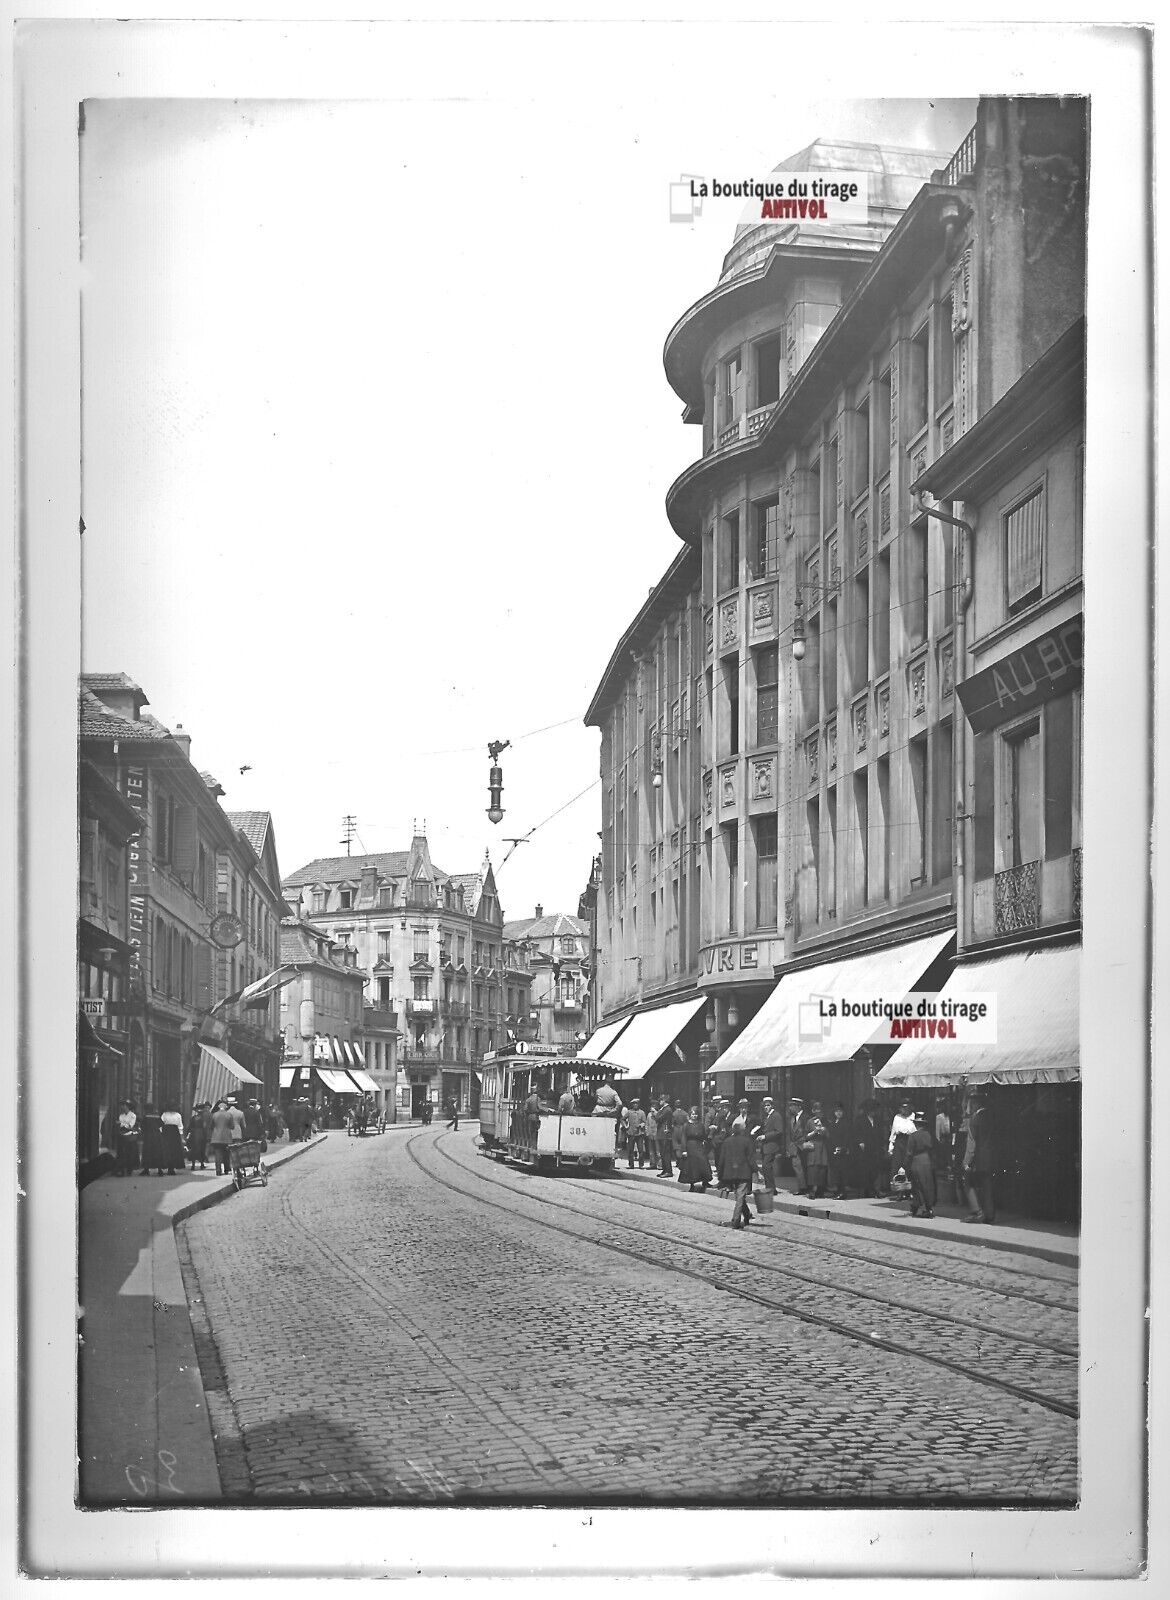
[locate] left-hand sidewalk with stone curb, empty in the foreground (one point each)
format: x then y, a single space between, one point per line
143 1426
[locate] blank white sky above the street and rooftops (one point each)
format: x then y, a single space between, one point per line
377 436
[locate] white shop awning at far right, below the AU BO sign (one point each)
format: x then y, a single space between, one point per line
1038 1025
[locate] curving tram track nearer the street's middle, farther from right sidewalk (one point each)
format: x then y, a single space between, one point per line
960 1346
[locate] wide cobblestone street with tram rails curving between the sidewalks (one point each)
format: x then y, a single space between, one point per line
401 1319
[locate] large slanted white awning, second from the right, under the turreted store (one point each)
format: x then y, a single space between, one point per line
788 1030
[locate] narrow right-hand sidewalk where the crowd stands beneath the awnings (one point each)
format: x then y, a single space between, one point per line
1059 1242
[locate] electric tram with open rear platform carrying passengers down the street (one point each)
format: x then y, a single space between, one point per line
551 1140
